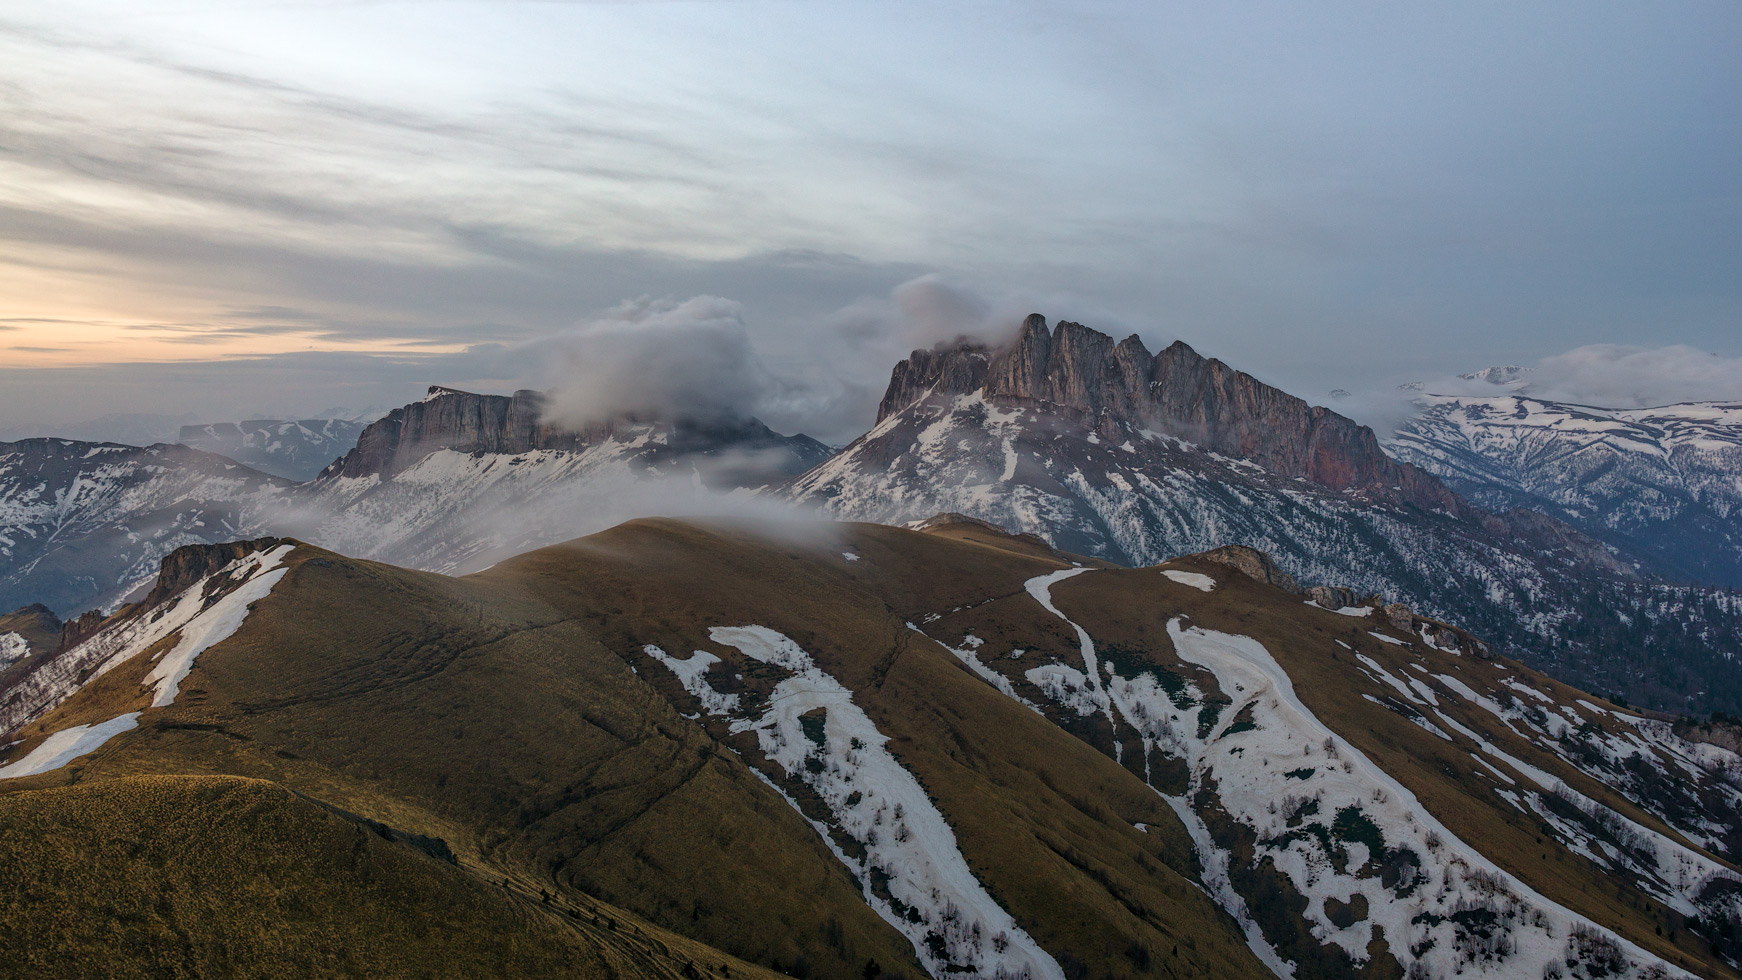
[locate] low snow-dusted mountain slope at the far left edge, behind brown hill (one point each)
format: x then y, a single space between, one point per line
84 525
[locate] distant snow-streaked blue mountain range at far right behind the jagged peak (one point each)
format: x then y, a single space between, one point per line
1663 483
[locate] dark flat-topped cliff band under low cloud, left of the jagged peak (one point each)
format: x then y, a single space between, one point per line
466 422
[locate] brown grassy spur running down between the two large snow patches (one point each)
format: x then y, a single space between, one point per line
1046 822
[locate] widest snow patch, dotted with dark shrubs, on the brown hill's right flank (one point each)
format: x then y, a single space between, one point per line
1337 824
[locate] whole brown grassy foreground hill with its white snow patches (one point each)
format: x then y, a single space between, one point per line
684 751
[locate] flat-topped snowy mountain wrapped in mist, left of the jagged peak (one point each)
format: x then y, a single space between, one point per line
461 481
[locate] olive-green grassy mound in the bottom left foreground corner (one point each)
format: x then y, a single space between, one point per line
140 878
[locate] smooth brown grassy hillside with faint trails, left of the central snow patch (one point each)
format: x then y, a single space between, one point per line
476 713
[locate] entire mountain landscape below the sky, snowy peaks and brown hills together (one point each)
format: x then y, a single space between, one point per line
1083 664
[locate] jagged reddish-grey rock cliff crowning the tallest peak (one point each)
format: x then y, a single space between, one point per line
1175 393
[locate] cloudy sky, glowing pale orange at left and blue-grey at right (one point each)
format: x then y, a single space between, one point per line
274 208
